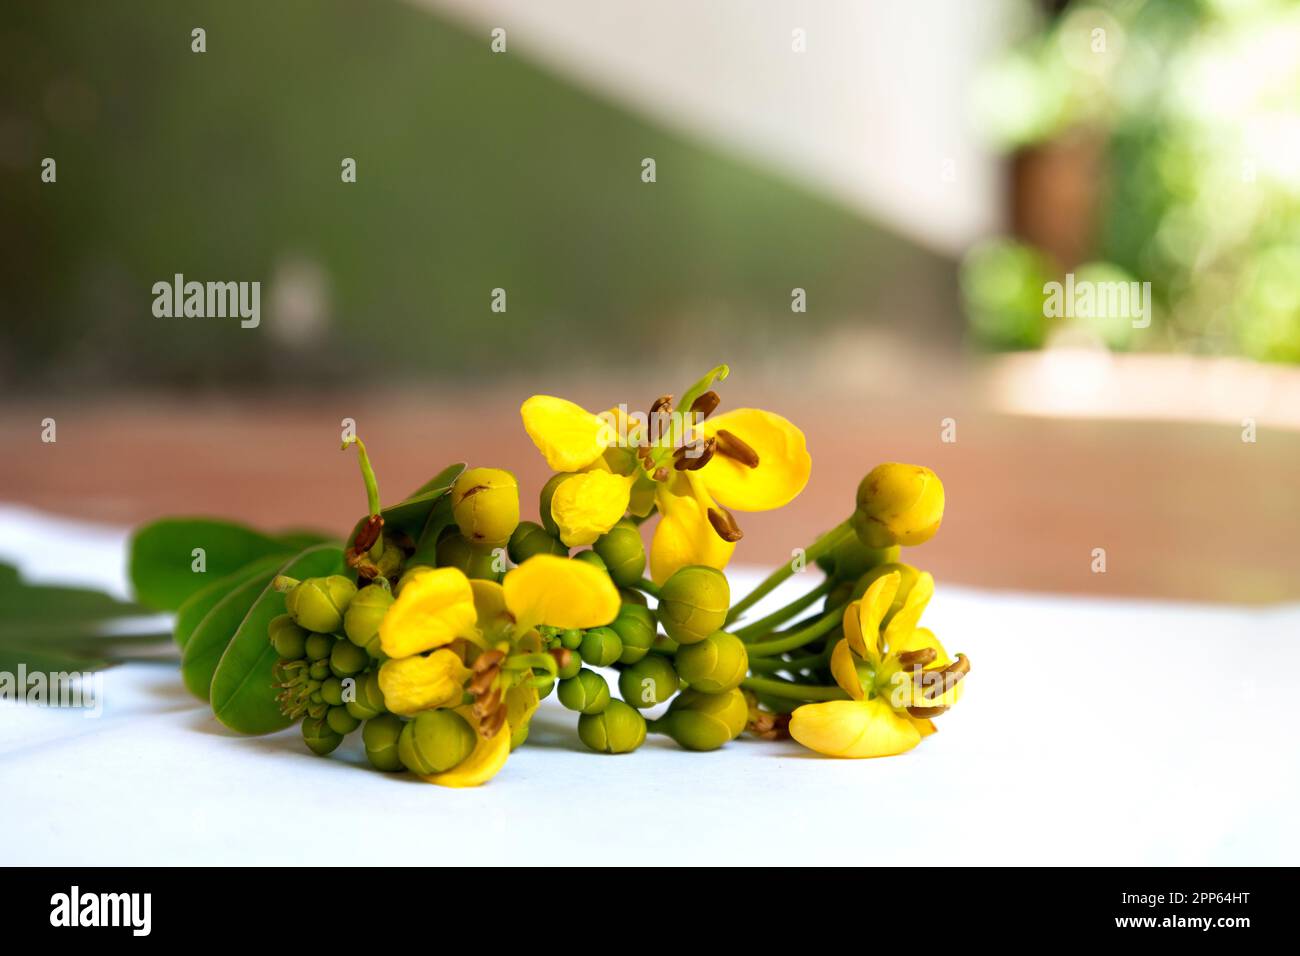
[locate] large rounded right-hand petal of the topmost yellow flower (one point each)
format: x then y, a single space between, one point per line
783 469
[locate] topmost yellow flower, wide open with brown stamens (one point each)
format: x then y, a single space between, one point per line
694 469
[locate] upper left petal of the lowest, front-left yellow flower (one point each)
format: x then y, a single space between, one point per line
434 609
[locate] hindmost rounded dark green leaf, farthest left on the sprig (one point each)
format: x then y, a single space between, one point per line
162 556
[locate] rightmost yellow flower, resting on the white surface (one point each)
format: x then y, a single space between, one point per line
898 680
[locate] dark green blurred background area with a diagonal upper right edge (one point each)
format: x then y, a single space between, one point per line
475 171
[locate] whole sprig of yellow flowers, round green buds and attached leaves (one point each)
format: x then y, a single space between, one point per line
443 621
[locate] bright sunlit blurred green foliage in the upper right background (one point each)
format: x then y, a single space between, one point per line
1198 103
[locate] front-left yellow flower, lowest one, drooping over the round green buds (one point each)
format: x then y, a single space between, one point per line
474 629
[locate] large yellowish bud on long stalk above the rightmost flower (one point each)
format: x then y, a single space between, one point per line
899 505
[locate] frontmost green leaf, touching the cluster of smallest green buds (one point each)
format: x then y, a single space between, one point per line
244 694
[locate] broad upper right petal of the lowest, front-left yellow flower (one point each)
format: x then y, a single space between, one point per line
549 590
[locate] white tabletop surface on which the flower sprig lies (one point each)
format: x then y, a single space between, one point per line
1091 733
